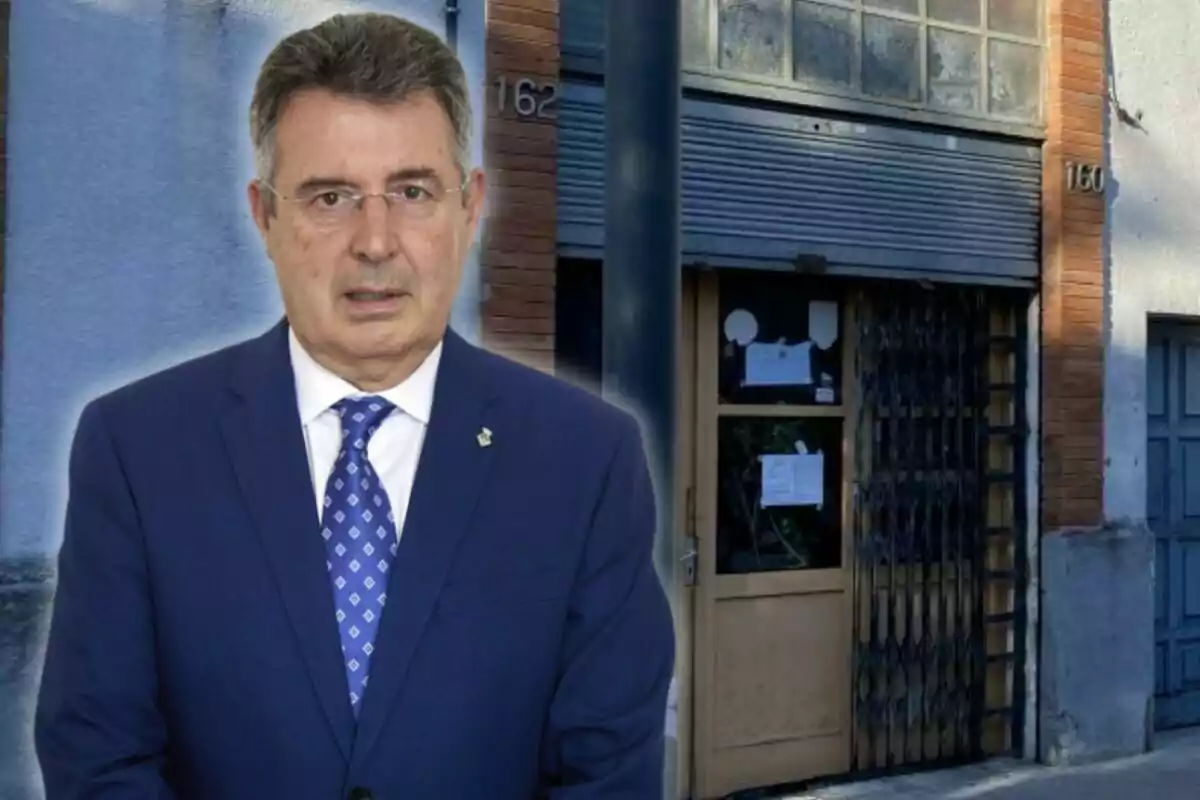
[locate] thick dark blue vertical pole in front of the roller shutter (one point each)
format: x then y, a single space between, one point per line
641 294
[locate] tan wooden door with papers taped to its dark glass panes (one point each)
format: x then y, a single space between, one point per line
772 442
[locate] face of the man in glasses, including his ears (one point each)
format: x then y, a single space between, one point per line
368 288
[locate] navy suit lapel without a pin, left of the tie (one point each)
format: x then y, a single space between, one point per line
266 443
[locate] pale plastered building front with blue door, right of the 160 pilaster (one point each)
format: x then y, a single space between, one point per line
1154 255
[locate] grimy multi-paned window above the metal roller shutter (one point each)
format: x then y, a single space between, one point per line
967 58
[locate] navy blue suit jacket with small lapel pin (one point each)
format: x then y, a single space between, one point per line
526 649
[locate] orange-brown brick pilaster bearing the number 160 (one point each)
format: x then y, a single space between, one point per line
1073 268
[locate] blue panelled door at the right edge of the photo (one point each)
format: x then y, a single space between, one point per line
1173 498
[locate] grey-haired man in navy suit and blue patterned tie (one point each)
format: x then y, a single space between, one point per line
358 557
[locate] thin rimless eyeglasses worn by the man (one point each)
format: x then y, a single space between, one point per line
332 208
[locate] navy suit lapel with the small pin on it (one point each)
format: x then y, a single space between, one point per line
451 474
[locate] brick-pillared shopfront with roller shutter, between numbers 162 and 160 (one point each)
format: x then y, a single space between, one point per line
892 460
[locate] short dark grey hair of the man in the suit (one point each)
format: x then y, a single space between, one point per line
368 56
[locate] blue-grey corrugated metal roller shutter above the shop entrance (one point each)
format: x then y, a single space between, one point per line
769 187
